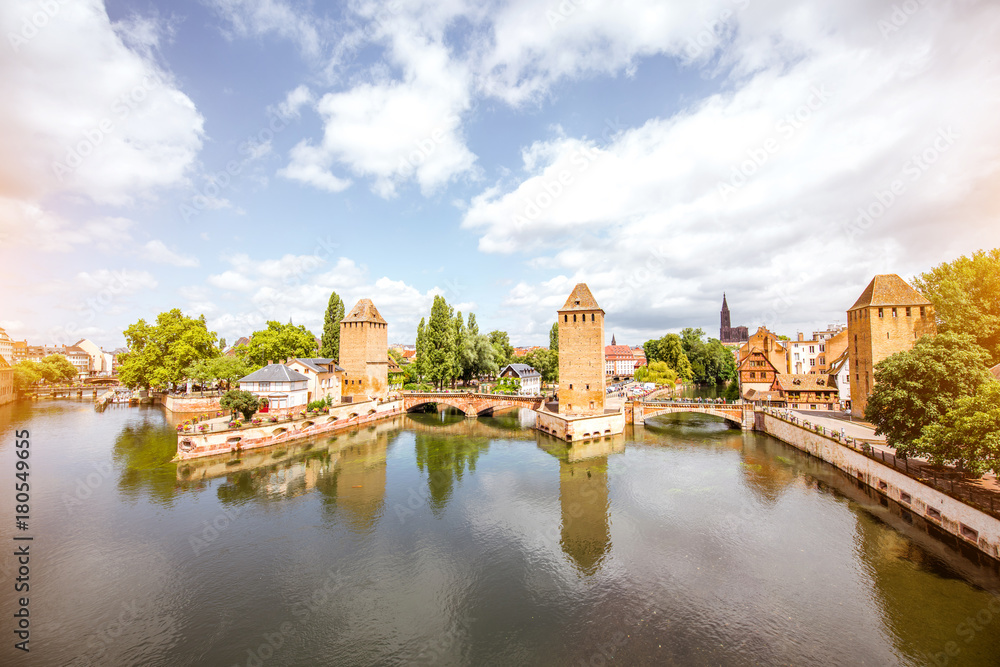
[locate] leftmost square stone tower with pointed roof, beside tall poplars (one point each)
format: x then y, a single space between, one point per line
364 351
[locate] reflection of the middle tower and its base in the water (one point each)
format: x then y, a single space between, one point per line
585 532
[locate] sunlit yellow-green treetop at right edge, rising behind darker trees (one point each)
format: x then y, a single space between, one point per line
966 297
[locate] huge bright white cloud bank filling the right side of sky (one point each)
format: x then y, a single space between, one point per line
757 191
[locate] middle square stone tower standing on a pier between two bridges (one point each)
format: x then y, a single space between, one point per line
581 354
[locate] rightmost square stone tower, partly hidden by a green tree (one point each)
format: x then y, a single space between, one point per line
888 317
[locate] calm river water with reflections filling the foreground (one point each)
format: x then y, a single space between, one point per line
437 540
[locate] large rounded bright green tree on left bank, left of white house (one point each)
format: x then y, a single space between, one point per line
159 354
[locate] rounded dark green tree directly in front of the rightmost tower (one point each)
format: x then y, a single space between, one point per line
916 388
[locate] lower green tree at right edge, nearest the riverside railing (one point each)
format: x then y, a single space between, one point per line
969 433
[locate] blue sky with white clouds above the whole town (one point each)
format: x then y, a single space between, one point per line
242 159
